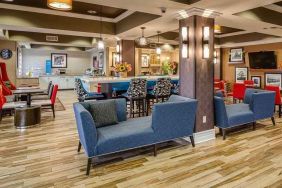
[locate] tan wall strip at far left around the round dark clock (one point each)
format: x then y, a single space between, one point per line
10 63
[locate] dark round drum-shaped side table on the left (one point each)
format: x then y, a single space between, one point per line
27 116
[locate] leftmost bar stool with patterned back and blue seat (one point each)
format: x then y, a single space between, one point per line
83 94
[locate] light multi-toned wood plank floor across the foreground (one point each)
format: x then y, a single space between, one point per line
46 156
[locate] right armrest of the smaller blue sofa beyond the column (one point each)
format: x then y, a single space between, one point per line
263 104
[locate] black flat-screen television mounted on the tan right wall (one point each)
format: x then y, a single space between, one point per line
262 60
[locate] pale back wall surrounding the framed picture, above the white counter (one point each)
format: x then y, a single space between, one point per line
34 60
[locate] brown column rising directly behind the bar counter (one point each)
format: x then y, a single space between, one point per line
128 54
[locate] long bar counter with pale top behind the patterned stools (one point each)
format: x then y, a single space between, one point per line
91 83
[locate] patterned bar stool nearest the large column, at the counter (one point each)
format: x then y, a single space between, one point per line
160 93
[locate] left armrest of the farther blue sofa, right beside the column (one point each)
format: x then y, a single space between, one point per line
221 119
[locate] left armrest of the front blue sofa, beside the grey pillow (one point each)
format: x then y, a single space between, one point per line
86 129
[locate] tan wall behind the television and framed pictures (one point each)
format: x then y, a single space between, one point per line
229 69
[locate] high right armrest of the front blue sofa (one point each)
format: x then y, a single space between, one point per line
174 119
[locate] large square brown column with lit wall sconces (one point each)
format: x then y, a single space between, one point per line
196 73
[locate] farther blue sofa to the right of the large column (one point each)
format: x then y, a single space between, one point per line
257 105
